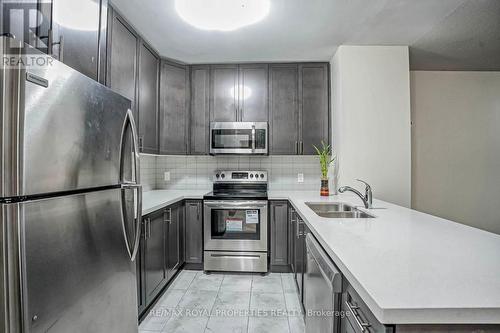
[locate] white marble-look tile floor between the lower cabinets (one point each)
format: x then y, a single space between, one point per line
233 303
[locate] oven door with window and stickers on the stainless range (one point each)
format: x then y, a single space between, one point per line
235 225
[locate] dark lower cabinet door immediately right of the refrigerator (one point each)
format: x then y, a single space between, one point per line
154 254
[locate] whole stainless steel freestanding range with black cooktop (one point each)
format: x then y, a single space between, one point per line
235 218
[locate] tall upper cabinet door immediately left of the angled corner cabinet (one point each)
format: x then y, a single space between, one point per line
148 100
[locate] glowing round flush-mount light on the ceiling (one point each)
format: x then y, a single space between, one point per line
222 15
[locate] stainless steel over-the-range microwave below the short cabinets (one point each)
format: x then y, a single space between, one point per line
238 138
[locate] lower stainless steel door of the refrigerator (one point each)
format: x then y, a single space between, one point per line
78 274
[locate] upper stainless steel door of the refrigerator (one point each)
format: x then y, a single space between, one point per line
64 134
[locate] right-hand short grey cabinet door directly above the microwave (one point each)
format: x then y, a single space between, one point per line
253 91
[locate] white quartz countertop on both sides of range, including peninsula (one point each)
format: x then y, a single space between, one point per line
409 267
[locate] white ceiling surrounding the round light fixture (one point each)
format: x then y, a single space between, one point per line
311 30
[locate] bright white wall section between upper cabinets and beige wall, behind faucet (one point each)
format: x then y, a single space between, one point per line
371 119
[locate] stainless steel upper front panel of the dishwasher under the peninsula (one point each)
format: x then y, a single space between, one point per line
327 267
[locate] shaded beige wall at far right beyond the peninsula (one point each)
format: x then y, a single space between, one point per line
456 146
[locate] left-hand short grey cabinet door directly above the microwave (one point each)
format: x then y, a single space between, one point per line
224 93
